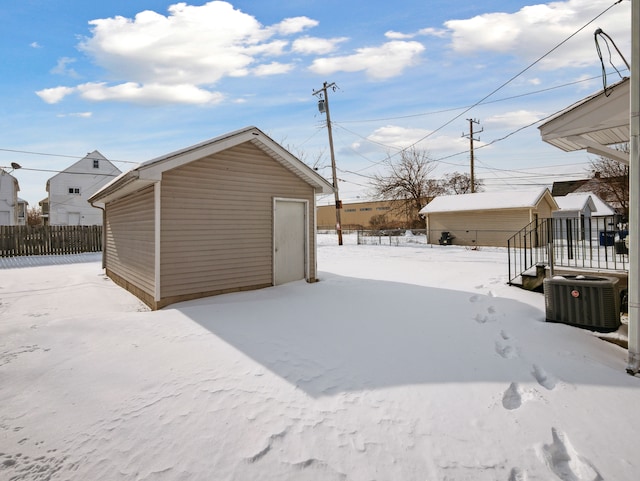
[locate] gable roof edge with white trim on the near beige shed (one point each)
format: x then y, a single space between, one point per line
151 171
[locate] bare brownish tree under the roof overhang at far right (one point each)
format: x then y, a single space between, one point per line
614 180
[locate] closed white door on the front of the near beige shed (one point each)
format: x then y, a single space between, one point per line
289 240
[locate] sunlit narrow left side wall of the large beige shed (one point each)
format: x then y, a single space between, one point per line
130 246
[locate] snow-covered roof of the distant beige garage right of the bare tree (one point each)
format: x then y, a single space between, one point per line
516 199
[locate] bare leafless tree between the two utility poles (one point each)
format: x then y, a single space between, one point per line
408 182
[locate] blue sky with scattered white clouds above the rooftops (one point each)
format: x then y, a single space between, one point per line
139 79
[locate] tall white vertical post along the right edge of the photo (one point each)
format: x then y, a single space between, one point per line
633 366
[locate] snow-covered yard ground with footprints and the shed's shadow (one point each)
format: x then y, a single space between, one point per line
402 363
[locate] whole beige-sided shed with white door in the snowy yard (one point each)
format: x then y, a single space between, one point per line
234 213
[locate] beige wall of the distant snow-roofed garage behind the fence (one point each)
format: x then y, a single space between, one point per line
483 228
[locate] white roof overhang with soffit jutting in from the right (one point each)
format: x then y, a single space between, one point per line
593 124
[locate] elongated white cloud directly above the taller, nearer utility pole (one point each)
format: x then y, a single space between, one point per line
386 61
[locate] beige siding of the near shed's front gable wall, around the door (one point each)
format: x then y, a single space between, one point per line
217 217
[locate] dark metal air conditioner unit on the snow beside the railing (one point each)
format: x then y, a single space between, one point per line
583 301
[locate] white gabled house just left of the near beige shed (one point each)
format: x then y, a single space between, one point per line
70 189
